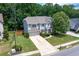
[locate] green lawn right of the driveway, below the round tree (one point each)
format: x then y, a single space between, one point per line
56 40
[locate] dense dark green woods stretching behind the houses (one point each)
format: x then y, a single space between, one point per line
19 11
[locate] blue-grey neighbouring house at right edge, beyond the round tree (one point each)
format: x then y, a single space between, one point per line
74 24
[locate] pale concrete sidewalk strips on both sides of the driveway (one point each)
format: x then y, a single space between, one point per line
37 51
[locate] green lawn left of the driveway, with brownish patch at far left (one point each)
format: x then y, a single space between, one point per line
27 44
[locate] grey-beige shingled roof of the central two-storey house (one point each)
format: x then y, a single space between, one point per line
37 19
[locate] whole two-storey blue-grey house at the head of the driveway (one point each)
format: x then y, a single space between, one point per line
37 24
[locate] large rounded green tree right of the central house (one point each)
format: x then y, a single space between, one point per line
60 22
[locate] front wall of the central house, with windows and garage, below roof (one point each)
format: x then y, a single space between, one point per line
37 28
